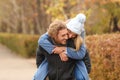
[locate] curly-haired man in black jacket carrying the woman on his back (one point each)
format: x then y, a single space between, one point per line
57 69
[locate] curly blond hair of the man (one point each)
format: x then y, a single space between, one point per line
55 27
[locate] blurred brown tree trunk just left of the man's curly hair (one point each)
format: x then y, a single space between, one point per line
42 16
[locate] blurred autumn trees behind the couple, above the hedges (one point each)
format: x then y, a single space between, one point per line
34 16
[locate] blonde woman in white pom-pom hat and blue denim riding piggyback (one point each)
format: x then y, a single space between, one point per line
75 28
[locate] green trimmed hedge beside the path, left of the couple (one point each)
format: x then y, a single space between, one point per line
24 45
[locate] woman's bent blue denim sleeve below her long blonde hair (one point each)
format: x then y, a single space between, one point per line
76 54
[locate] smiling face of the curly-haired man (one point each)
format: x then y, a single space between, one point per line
62 36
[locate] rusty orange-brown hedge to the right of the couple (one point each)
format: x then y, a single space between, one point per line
105 56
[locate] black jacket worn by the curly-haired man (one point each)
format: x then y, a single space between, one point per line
57 69
